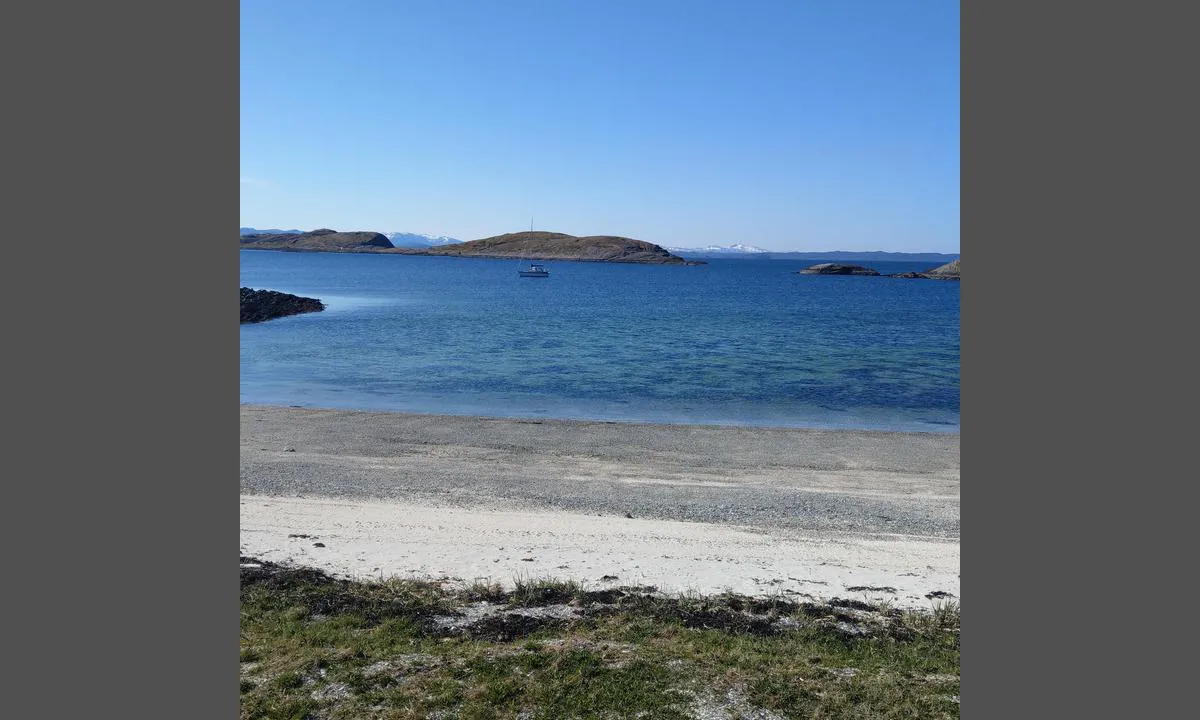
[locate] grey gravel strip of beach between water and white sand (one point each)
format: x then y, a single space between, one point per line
770 479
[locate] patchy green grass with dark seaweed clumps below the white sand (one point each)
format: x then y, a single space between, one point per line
319 647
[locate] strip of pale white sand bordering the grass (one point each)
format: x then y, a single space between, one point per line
374 539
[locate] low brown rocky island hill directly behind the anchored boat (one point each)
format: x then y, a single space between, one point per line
541 245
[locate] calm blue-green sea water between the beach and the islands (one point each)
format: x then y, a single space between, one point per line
733 343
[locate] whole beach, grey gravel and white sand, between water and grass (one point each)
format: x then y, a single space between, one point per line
799 513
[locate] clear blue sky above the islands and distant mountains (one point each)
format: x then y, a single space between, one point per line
787 125
